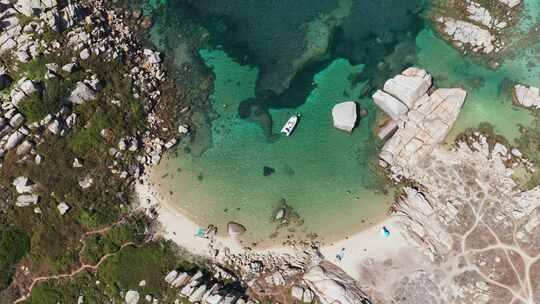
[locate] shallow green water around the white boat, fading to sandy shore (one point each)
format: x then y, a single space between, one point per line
321 172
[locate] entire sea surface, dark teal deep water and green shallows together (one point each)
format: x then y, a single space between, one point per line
326 175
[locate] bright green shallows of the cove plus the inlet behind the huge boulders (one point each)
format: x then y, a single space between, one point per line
328 177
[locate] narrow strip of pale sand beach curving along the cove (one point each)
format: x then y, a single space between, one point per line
370 243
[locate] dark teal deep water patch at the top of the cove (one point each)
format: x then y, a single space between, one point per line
274 35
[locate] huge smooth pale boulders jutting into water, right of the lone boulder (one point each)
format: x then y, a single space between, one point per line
419 119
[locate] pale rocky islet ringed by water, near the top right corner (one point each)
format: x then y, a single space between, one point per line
479 29
